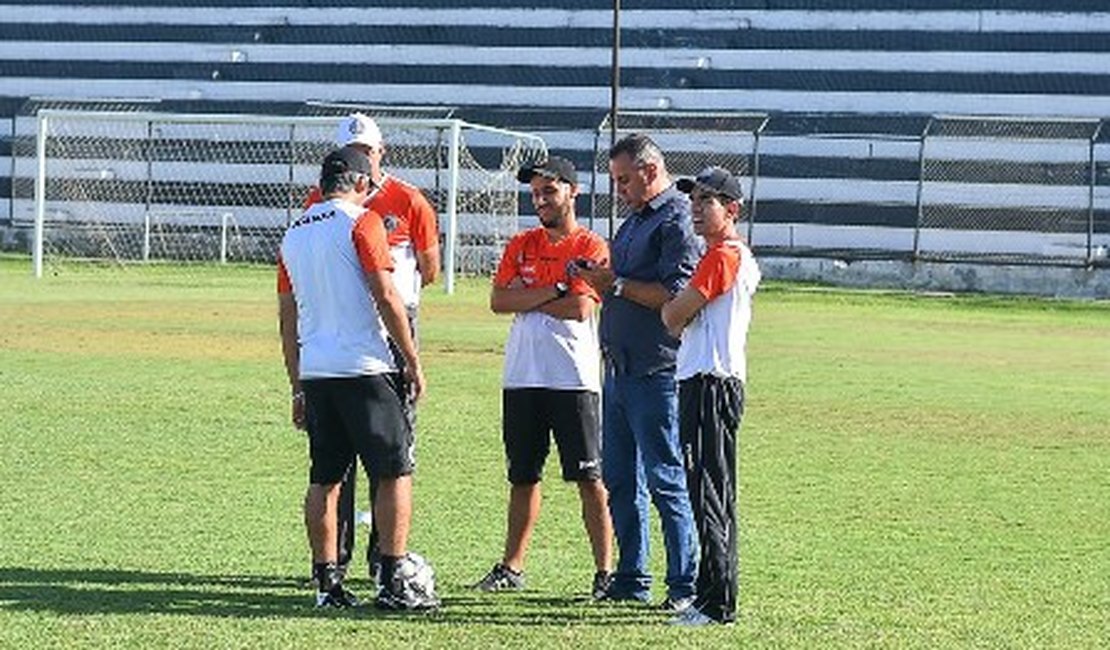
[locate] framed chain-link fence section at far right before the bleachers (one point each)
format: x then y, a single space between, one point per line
1010 190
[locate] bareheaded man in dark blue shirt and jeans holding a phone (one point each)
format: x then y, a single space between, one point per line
653 257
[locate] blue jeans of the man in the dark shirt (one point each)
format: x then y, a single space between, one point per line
641 456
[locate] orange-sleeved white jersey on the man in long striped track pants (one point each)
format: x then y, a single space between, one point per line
714 343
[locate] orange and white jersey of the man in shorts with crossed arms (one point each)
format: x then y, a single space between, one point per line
542 351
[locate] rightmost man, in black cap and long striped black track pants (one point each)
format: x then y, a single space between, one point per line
712 316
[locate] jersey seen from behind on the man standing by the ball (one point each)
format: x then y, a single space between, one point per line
324 261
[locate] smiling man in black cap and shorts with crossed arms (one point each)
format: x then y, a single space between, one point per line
551 378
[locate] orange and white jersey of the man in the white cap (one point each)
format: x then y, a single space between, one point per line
411 227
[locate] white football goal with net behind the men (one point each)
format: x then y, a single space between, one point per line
128 189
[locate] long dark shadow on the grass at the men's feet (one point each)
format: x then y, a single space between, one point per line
122 592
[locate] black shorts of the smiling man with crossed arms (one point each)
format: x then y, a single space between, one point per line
531 415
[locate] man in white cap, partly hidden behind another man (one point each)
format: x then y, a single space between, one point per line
413 237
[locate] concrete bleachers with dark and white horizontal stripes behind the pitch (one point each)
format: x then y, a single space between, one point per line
866 73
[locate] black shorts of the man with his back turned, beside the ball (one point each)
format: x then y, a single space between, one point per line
357 415
